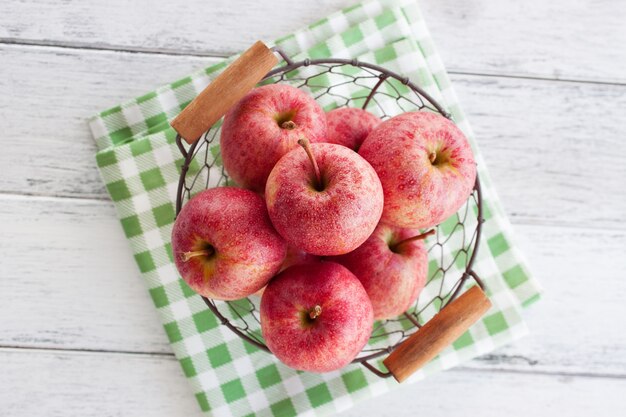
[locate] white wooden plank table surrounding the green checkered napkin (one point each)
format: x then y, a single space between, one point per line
543 83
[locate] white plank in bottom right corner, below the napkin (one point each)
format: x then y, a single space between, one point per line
494 394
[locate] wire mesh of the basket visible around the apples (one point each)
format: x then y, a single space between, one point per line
449 249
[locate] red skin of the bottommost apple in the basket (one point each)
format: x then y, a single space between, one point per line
331 340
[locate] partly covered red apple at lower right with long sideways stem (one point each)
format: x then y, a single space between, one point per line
392 279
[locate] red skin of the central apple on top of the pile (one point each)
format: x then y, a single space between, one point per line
329 222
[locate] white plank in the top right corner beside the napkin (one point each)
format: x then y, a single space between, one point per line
555 39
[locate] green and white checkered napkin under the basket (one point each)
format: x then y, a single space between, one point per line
140 162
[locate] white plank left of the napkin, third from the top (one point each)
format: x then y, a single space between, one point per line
69 279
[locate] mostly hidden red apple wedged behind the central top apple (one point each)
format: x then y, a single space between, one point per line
349 126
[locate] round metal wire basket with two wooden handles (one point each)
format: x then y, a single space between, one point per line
340 83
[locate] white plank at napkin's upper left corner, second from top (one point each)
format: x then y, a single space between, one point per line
46 142
